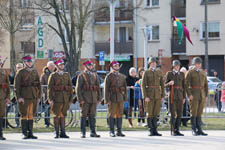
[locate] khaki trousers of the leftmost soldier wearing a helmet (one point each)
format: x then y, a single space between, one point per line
152 108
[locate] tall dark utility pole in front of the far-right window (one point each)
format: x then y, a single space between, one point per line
206 36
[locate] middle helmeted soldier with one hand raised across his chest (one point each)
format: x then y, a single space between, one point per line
175 81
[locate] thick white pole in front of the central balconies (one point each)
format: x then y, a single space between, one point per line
112 28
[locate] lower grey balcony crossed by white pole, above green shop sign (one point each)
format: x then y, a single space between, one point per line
120 47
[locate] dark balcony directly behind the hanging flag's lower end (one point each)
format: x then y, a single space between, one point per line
178 48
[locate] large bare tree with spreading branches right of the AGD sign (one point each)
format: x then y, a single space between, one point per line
73 16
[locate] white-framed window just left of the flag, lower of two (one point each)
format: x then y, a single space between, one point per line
153 32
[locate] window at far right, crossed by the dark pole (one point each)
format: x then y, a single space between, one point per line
213 30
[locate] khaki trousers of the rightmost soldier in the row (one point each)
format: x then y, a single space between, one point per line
196 106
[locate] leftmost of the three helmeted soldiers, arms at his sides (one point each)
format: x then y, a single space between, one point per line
153 93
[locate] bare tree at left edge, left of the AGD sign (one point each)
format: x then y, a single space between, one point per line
10 19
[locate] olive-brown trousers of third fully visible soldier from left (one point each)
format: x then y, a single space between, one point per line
88 109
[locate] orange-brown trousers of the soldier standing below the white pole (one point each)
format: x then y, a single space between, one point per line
115 109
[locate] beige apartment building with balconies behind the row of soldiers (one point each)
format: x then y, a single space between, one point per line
132 17
